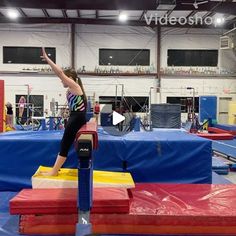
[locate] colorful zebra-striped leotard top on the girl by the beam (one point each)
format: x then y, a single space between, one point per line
75 102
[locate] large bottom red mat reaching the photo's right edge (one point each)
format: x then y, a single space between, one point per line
155 209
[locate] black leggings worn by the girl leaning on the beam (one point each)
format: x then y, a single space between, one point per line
75 122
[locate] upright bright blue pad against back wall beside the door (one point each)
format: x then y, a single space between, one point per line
207 108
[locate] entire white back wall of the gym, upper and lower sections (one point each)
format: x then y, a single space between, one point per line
88 41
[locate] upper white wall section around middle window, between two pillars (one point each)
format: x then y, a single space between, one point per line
90 38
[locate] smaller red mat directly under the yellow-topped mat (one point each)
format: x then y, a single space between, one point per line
64 201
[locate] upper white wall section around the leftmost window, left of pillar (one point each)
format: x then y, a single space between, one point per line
36 36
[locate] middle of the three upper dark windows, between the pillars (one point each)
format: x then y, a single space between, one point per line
124 57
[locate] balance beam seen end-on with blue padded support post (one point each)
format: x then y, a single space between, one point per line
86 142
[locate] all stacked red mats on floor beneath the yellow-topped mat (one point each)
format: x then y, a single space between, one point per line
154 209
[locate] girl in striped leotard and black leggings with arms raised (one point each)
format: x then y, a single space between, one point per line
77 102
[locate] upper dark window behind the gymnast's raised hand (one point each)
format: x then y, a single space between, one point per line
26 55
